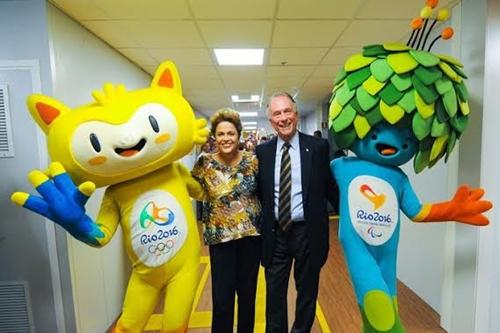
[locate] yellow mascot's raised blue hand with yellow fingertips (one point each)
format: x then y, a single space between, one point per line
61 202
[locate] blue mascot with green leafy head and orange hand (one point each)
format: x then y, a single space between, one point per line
390 104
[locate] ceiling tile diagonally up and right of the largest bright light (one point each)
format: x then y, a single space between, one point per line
307 33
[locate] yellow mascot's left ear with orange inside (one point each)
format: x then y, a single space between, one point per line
45 110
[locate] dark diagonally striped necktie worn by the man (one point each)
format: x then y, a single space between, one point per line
285 197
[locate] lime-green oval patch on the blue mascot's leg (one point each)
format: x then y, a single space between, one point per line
379 310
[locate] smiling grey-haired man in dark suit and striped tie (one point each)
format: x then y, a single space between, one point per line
294 183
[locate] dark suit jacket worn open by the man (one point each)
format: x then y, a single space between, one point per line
318 186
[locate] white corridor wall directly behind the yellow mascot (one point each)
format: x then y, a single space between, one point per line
81 63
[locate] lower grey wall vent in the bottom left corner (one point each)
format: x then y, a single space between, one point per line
15 312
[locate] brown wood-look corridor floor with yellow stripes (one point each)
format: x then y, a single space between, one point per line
337 308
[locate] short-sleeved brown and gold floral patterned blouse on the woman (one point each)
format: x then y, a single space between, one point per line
231 208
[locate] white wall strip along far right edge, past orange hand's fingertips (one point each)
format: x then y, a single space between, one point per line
488 290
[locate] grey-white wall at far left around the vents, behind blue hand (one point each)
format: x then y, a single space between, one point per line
27 249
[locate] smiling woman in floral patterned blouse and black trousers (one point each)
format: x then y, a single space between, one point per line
230 215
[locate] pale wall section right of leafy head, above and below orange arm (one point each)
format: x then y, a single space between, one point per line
462 266
